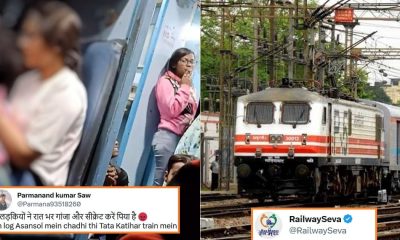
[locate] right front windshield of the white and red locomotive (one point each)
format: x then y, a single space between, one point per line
295 113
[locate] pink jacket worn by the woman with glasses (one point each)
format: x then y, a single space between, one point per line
172 105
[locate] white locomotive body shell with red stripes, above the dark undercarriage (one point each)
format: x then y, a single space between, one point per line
324 131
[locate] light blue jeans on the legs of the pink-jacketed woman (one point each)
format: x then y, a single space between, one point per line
164 144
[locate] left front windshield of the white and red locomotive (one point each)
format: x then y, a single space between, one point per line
260 113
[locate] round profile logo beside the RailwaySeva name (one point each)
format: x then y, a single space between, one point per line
268 225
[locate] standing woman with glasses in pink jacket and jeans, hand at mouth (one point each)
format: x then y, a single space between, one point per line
177 105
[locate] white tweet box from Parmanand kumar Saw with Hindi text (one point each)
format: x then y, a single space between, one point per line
89 210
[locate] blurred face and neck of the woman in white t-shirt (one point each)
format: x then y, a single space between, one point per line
37 53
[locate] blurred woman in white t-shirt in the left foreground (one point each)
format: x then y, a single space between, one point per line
49 101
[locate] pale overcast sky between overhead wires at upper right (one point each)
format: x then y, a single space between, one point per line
388 35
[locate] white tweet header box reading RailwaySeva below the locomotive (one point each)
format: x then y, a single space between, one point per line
313 223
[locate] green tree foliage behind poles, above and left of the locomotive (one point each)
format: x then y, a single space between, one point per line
239 37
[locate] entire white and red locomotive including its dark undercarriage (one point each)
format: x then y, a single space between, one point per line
291 136
